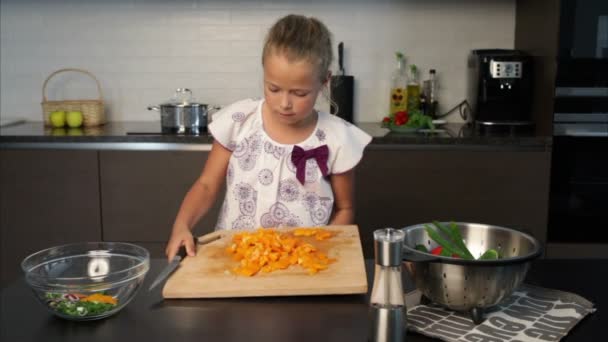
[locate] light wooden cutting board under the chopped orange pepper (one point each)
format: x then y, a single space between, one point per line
208 274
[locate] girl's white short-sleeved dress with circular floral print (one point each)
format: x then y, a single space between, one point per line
261 185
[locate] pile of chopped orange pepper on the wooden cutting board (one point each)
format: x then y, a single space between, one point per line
267 250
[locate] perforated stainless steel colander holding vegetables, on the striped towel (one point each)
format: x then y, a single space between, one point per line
470 285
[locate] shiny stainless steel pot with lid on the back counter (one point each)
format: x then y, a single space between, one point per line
183 116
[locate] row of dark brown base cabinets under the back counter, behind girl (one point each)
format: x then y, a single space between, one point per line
52 197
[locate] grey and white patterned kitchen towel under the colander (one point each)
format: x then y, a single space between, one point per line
531 313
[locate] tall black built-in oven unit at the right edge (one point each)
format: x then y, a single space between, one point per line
578 205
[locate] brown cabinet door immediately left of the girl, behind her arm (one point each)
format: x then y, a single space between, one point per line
141 192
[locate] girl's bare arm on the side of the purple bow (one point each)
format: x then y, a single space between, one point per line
343 185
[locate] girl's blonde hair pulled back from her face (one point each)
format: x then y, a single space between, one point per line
301 38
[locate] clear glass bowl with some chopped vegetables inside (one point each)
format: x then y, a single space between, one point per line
86 281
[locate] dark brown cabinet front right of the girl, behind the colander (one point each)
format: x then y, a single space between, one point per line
397 188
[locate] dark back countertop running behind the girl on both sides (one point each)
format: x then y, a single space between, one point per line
147 136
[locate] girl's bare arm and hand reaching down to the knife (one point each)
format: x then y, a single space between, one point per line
198 200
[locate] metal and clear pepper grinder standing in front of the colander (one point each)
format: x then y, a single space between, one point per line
387 303
